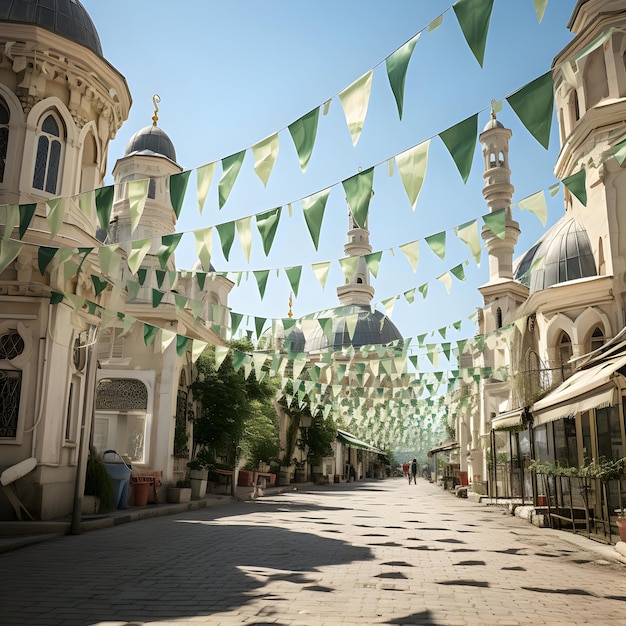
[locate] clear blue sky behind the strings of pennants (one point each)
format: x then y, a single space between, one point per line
231 73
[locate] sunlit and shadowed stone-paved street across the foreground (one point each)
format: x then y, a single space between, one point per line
375 552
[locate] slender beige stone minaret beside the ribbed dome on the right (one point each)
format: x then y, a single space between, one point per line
498 192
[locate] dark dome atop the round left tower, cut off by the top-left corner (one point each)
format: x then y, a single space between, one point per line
67 18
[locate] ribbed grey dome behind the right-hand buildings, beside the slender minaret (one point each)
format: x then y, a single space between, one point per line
563 254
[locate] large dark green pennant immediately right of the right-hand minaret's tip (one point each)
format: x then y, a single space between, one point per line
534 104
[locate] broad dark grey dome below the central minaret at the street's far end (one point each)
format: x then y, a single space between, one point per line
372 328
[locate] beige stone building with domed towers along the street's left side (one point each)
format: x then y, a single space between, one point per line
63 368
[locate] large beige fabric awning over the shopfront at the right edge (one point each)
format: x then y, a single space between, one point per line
586 389
